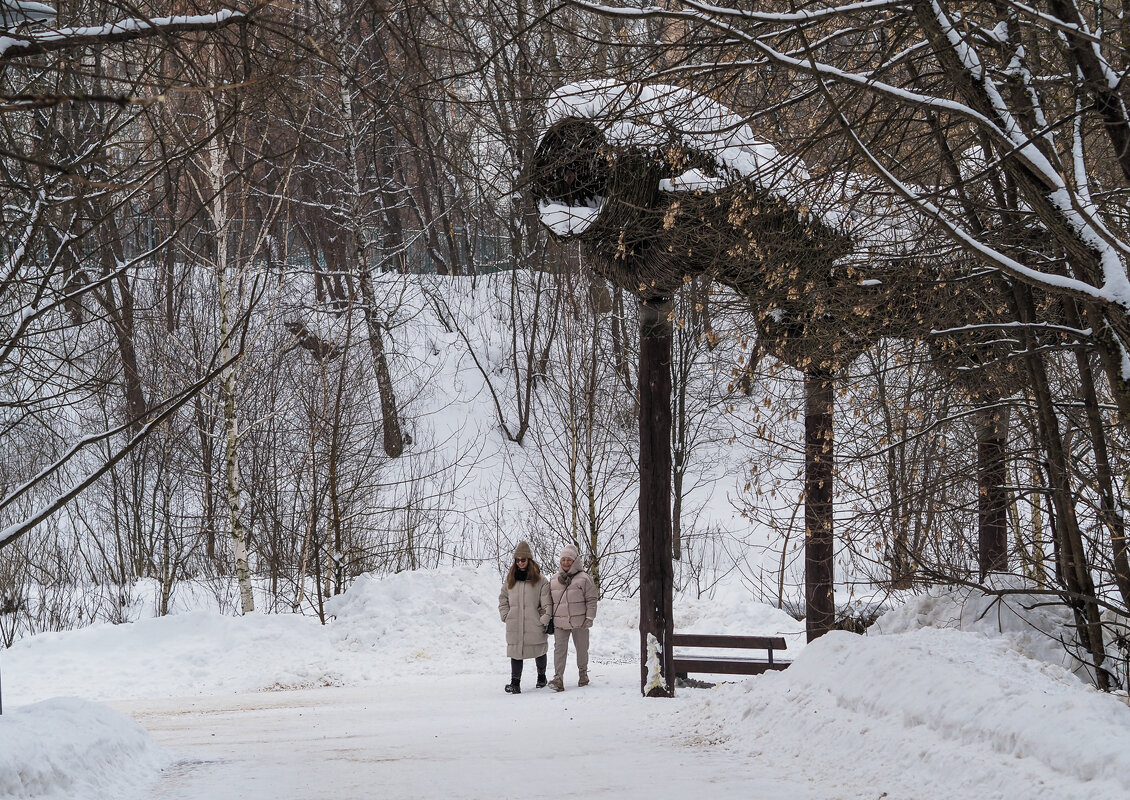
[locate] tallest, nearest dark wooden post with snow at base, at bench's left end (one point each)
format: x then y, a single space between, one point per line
656 571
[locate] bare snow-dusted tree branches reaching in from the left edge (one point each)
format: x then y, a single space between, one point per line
66 253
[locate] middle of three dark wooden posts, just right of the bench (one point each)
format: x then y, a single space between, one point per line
820 551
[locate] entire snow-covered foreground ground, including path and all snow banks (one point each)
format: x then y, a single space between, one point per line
401 697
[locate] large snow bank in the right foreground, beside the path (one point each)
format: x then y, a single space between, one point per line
957 710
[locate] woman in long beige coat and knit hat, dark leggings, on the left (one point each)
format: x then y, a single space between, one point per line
524 605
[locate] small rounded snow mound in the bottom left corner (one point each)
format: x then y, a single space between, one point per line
73 750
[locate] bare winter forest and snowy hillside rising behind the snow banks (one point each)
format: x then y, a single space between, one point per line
285 305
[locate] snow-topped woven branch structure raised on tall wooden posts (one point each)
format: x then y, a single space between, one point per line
662 185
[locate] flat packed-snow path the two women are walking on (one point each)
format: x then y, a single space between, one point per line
388 742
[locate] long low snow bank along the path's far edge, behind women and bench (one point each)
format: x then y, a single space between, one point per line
429 622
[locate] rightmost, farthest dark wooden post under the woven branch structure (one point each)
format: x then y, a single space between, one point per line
993 495
